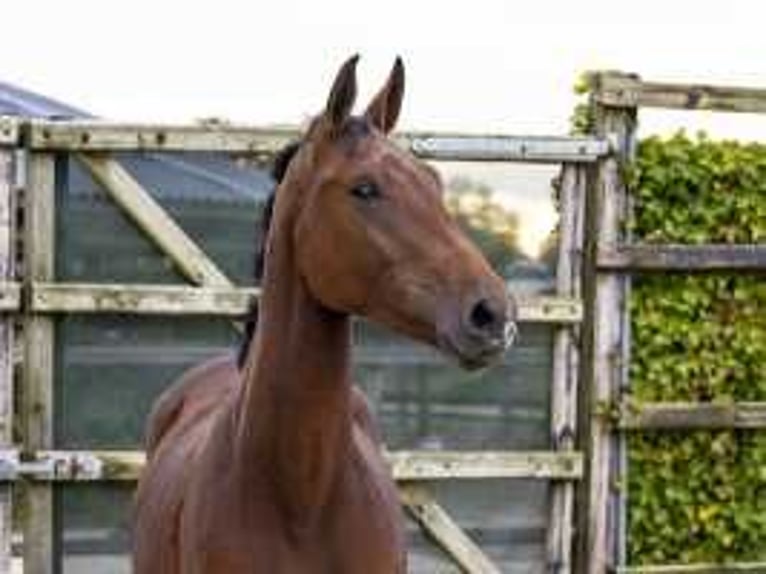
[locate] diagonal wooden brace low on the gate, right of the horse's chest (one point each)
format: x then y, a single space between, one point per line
427 512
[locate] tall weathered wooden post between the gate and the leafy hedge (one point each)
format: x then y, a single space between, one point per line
606 337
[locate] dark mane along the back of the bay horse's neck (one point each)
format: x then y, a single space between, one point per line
278 169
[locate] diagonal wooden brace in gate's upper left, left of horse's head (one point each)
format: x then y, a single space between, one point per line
153 221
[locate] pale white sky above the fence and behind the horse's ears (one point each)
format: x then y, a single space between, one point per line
479 66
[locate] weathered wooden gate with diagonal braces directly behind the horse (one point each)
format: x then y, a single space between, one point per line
31 298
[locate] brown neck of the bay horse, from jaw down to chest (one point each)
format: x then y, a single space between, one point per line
294 421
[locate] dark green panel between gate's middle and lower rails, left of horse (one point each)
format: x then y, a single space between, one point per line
110 369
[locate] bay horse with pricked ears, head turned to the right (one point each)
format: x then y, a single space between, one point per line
276 467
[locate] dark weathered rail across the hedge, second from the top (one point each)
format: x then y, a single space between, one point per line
686 258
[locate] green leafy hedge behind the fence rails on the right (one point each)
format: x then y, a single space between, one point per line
698 496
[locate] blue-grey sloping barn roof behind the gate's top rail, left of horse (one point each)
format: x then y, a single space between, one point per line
195 177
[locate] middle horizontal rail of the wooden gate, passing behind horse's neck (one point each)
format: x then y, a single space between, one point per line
187 300
